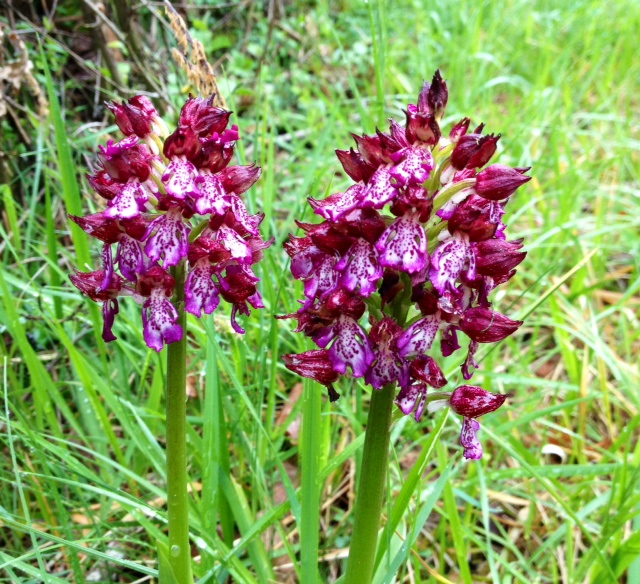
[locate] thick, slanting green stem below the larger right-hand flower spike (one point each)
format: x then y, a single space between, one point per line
371 484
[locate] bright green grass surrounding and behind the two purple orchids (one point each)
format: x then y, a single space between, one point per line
82 424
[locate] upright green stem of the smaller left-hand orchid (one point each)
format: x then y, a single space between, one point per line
177 495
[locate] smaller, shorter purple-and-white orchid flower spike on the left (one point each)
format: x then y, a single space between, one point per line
172 198
